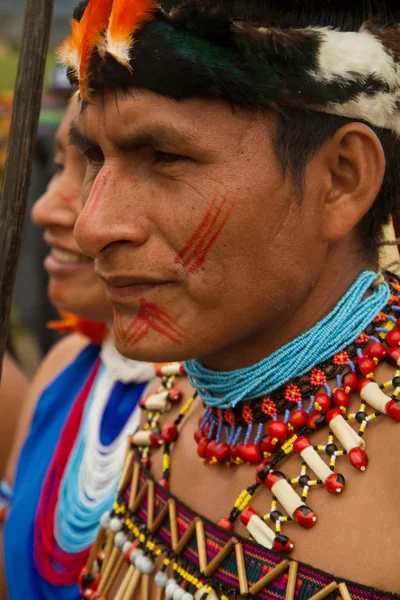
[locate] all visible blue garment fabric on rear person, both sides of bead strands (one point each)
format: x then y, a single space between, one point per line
51 413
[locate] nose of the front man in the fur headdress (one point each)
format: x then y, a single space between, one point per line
112 214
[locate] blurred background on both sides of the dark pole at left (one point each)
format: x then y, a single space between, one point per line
30 339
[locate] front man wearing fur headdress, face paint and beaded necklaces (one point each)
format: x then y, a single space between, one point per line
242 160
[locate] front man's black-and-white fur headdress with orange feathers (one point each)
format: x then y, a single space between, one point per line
198 49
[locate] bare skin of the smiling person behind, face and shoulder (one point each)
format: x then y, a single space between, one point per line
80 292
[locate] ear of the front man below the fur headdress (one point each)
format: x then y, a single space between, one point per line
356 162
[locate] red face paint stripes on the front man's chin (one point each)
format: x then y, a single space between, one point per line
150 316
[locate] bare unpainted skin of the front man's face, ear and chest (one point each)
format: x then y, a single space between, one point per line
277 267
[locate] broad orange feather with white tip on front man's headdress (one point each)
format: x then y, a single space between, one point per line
127 16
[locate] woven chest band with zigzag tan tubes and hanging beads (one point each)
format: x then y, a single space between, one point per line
204 559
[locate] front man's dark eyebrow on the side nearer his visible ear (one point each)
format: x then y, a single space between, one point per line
154 136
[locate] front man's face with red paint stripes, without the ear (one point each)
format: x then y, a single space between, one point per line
203 244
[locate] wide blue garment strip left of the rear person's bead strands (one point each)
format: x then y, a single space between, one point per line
51 412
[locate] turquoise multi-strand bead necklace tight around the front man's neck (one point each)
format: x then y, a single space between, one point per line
225 389
